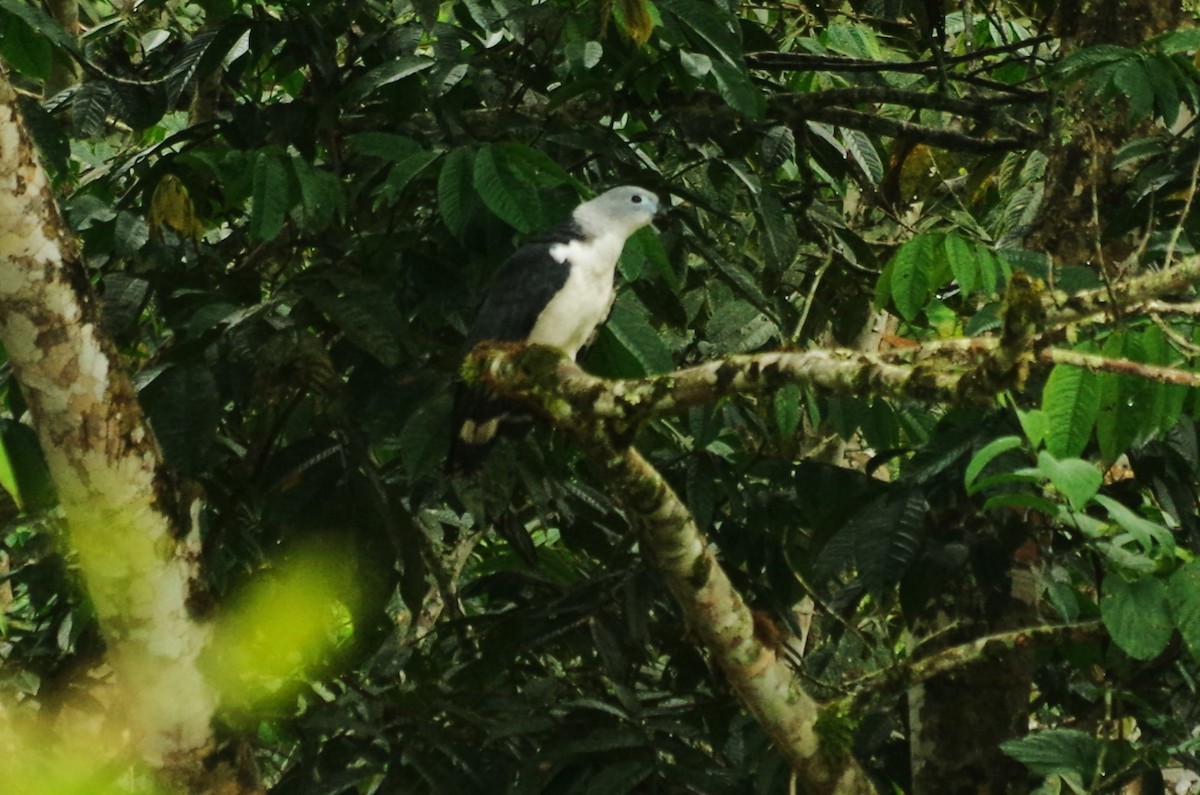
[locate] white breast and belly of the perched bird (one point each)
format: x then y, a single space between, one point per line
583 304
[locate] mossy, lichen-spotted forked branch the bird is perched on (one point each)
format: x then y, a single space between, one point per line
605 415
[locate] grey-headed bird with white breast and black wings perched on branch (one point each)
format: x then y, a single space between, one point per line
553 291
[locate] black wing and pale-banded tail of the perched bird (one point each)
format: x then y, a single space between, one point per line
519 292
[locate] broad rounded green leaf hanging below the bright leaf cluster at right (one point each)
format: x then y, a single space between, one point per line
1137 615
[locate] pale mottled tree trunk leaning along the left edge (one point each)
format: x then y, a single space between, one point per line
125 522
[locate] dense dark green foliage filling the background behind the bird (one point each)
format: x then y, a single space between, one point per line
291 211
